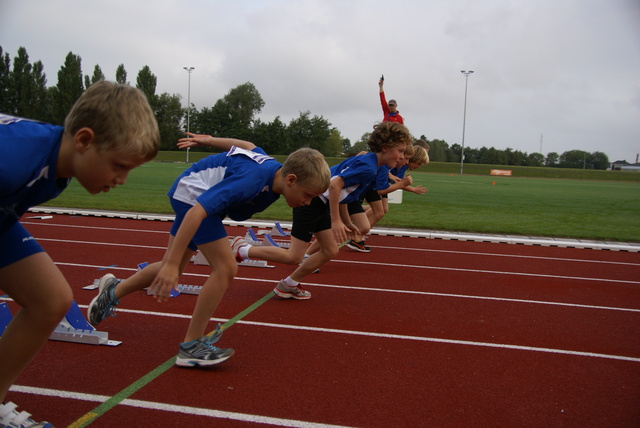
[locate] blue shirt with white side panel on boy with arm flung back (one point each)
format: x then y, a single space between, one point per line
237 183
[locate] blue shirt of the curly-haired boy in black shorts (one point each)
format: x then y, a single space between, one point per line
359 175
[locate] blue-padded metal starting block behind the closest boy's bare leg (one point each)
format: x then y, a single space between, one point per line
72 328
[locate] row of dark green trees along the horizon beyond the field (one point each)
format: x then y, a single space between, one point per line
24 92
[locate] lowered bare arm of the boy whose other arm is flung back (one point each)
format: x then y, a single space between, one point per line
169 273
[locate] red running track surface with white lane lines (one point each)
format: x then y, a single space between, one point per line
417 333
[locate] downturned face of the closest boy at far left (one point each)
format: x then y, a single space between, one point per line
100 171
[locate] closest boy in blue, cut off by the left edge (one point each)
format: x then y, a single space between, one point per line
109 131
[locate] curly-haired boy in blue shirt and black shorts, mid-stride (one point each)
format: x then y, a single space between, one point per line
327 217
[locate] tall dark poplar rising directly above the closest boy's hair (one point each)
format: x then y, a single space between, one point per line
68 89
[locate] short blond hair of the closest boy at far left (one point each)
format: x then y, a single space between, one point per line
120 117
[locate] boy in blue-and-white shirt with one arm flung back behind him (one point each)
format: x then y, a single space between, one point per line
237 183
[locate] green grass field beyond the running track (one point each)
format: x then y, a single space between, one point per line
603 210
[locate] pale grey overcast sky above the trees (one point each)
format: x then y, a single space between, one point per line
549 75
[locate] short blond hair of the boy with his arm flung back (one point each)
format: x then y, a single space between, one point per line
310 168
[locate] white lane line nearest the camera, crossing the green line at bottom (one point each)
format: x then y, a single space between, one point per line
152 405
